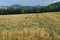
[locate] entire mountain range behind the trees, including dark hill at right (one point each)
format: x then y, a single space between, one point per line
18 6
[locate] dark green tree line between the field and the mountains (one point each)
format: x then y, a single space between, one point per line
34 9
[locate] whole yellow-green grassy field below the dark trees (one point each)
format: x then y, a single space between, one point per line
44 26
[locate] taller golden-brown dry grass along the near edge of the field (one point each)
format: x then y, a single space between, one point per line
27 34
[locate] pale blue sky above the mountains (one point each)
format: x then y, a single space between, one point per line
27 2
